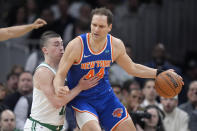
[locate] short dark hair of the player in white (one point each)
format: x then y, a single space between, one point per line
47 35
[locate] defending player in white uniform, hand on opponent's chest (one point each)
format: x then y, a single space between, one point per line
48 110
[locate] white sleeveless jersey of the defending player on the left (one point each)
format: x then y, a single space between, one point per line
42 110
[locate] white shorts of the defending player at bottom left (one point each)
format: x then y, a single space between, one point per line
35 126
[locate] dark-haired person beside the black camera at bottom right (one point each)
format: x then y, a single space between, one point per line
155 123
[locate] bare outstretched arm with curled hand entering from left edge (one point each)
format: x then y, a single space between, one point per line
17 31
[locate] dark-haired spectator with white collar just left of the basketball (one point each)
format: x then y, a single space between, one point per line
150 93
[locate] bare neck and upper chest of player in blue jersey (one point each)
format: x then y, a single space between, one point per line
97 44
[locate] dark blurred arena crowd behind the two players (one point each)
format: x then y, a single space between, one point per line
157 33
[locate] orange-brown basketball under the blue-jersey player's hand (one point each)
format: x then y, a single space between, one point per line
168 84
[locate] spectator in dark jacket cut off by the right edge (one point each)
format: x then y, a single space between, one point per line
191 106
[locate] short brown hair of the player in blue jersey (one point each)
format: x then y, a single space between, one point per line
103 11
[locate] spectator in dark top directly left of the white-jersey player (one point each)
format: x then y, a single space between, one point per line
25 86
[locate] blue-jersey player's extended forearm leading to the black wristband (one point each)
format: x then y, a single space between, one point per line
143 71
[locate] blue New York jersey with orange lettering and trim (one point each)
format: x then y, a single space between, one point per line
76 72
